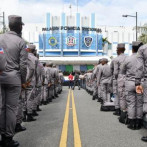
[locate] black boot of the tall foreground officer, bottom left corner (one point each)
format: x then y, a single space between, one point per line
9 142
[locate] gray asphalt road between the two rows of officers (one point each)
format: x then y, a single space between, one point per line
96 129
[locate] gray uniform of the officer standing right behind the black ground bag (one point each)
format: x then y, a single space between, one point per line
105 78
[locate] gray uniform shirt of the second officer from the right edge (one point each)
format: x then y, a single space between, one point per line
129 67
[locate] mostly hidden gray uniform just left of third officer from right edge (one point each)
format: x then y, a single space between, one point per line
114 84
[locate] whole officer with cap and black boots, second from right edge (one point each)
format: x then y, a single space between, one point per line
134 100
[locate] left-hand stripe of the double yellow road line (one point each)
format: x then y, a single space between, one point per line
63 141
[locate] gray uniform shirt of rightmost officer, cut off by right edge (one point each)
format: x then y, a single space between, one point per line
141 65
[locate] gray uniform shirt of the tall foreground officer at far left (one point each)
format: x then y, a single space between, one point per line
16 56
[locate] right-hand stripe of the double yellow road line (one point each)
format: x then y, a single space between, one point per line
77 139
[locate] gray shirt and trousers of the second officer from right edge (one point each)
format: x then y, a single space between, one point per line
134 100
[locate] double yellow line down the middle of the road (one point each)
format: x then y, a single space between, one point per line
64 135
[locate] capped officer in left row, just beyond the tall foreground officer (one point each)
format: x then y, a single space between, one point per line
31 83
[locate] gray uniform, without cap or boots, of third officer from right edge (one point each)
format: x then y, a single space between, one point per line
118 63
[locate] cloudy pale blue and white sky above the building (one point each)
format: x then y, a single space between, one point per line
108 12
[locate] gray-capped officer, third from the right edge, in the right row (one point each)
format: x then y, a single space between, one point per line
120 80
